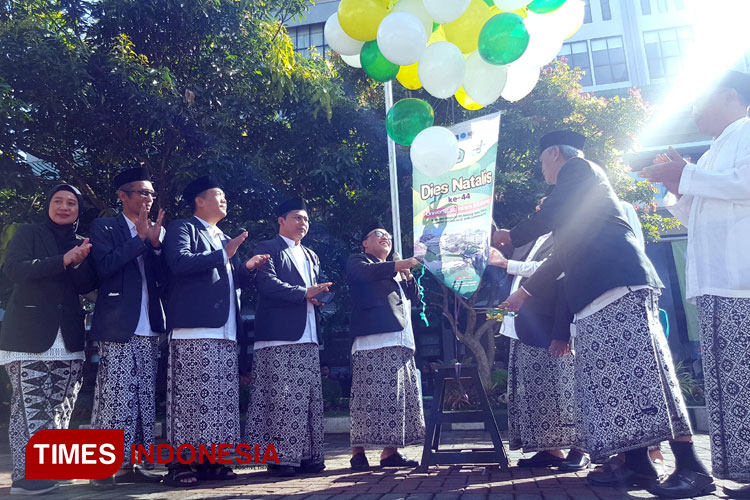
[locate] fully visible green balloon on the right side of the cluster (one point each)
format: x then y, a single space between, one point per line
503 39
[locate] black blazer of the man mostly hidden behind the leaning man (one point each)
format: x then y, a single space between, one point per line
544 316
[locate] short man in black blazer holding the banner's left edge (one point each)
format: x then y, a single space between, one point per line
386 404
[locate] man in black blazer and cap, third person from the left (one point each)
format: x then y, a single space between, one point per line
203 315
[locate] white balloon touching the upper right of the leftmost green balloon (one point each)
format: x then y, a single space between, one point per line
401 38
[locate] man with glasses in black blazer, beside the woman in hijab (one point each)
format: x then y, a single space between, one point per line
128 318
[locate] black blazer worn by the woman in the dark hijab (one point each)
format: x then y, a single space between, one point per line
45 294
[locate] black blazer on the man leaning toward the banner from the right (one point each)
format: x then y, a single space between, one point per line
594 245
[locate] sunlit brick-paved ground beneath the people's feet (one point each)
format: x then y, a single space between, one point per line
338 483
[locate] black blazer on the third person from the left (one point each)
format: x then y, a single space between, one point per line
198 295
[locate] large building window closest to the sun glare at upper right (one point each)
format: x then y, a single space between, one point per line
666 50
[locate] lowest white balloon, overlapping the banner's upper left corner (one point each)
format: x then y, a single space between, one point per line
434 151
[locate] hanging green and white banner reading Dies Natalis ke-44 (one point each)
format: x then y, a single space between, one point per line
453 211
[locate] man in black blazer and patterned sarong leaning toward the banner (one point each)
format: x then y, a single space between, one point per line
624 376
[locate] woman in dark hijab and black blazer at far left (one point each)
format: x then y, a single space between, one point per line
42 336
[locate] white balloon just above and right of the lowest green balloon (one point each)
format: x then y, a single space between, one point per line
441 69
